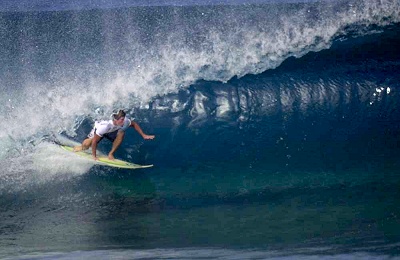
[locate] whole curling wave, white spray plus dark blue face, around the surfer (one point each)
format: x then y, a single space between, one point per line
239 79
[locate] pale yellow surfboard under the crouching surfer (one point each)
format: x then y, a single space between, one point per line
103 160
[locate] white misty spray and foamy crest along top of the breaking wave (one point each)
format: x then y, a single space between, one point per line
126 57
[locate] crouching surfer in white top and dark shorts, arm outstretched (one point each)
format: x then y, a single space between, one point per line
113 130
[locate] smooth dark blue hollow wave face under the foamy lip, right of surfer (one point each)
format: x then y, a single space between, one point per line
325 105
